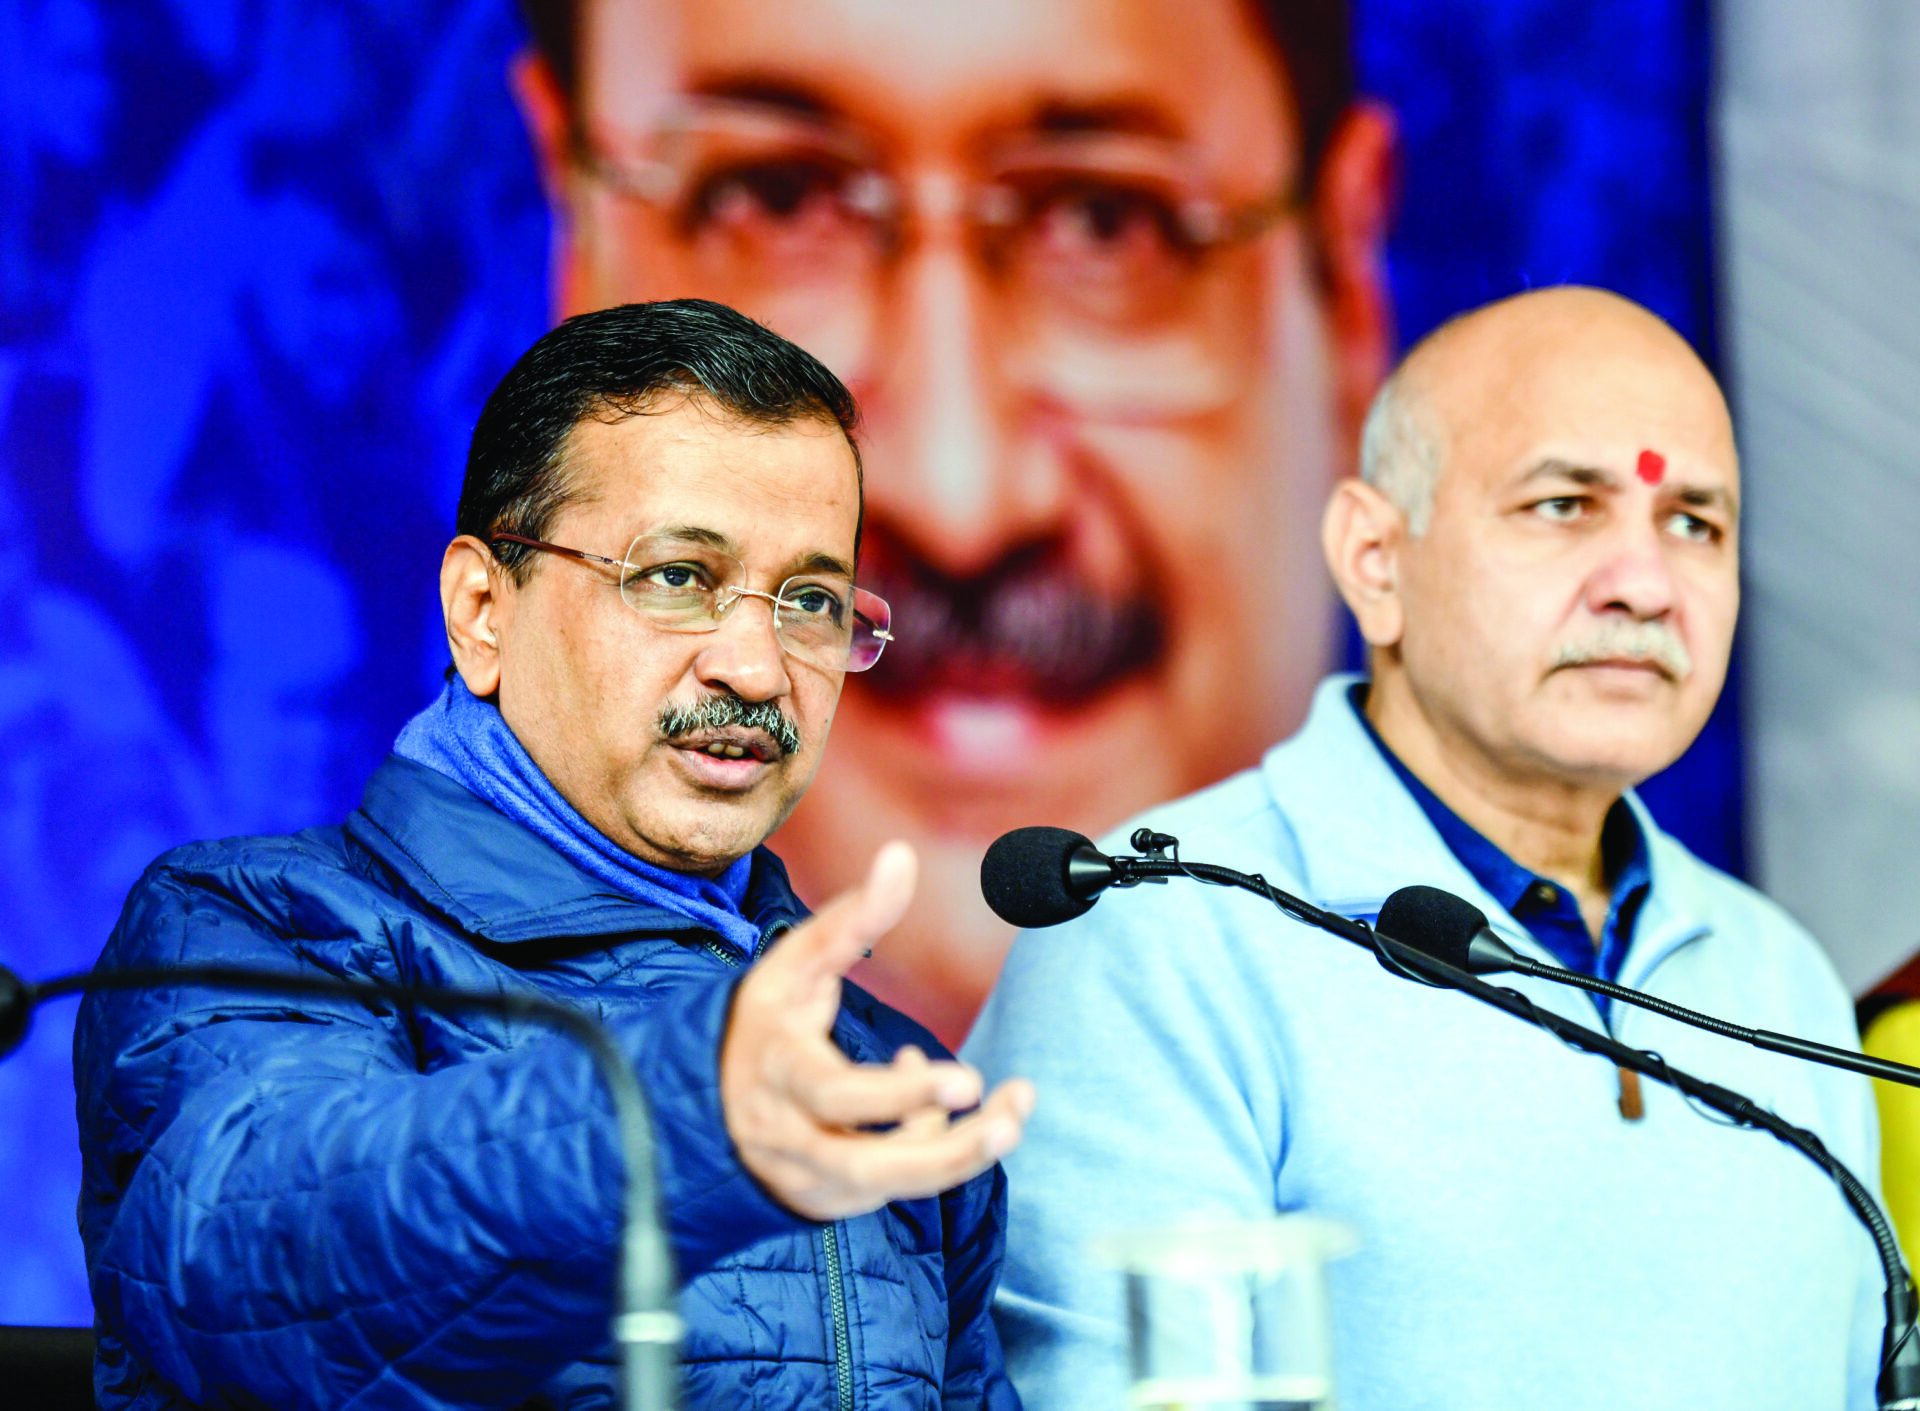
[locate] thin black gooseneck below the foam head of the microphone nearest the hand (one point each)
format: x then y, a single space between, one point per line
1900 1349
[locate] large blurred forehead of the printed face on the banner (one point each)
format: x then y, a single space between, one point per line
932 70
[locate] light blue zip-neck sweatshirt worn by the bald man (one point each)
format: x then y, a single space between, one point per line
1524 1247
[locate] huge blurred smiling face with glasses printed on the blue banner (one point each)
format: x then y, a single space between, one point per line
1111 341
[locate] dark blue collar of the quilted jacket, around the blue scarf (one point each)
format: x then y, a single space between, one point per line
498 882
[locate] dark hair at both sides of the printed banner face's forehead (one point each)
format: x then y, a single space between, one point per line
1312 37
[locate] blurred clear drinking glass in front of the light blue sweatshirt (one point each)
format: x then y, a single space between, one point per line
1230 1316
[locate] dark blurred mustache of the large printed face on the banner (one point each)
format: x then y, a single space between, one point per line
1026 625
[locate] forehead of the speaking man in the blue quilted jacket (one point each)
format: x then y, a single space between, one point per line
775 490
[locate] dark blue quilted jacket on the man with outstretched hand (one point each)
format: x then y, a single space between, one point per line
368 1207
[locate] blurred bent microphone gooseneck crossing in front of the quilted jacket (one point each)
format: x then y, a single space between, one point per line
646 1326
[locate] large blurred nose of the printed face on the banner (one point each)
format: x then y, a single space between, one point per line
959 462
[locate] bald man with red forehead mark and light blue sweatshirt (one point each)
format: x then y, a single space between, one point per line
1543 556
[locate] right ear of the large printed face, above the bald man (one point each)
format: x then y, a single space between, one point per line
1353 208
